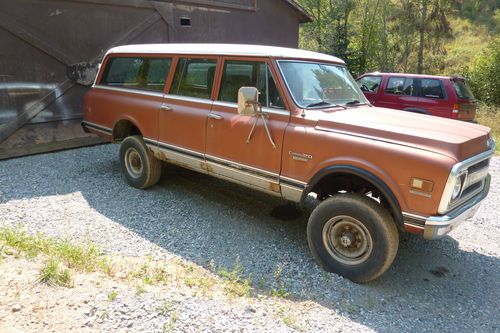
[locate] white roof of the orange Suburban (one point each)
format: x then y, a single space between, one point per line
226 49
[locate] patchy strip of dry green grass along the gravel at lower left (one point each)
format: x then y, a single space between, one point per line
65 256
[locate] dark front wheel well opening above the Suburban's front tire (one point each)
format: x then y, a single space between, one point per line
362 183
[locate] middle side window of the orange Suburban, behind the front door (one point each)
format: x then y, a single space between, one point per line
194 77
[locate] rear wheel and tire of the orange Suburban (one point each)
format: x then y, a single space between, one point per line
140 167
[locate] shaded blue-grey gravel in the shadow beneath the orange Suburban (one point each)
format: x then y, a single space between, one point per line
432 286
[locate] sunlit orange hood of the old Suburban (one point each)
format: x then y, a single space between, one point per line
457 139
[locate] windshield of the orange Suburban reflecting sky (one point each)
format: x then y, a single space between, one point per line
319 85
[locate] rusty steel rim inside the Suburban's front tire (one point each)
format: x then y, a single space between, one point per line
347 240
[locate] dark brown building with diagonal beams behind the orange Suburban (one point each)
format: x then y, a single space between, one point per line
49 51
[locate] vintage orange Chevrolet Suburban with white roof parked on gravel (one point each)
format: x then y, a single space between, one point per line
294 124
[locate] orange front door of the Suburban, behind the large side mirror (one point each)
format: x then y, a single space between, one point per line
231 152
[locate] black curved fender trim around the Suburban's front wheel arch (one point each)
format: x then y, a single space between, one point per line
368 176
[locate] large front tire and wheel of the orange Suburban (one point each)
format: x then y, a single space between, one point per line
353 236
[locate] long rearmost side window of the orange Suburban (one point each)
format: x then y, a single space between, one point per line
136 73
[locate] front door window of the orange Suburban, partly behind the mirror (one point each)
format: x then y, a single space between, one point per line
239 74
